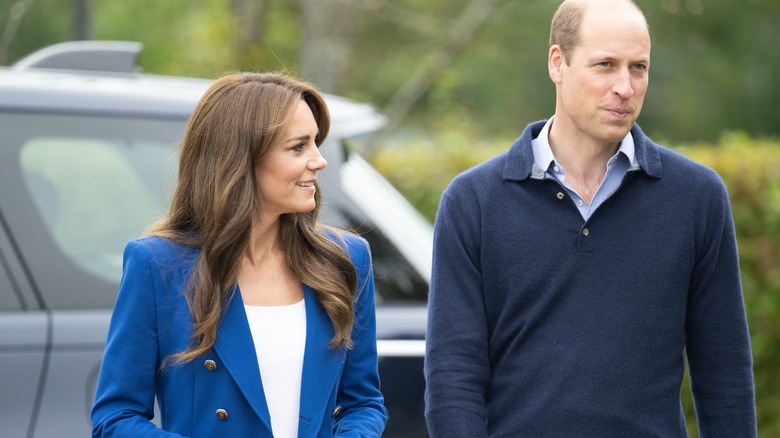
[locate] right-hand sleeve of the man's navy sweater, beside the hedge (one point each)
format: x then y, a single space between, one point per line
718 344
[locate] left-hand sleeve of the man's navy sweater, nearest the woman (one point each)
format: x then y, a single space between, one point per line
457 368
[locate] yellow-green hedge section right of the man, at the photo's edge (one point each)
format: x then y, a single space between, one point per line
751 171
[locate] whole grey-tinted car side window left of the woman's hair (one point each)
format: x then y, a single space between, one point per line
81 188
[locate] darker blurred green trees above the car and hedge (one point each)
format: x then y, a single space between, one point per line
714 64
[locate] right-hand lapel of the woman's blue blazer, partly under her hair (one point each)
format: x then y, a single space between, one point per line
321 366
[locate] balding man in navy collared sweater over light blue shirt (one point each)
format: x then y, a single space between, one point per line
573 273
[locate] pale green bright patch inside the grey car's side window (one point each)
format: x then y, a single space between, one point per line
91 194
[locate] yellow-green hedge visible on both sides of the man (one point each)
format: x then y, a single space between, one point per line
421 169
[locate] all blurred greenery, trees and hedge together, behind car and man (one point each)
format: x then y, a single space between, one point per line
714 68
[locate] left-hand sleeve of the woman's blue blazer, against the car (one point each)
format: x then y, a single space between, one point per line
124 401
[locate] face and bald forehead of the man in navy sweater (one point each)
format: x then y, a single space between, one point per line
602 87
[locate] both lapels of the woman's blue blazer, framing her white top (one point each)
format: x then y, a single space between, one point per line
321 365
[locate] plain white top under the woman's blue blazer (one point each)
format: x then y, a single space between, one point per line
279 335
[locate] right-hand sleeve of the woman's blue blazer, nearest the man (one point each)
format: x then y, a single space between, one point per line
363 413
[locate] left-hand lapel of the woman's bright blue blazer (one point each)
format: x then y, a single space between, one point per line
235 347
